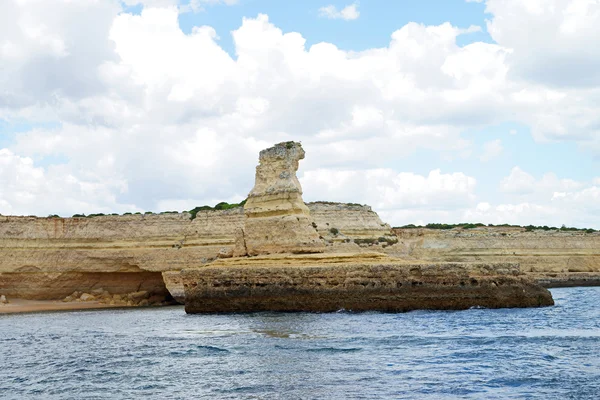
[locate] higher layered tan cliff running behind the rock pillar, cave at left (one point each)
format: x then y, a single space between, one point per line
50 258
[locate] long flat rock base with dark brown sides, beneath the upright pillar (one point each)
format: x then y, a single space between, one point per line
363 282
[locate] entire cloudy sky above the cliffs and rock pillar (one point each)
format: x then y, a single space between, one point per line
428 111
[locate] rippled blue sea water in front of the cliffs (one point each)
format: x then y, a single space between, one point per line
540 353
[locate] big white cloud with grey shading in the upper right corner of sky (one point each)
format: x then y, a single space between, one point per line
555 59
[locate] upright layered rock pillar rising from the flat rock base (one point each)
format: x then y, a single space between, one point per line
277 220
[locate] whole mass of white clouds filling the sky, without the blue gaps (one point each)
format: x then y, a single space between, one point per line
134 102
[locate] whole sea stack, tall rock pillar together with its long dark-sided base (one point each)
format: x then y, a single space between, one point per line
281 264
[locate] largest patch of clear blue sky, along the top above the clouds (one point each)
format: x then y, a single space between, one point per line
378 19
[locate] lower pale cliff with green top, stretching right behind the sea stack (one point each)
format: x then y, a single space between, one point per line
549 255
